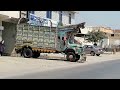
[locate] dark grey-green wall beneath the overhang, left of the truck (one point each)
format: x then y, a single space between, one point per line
8 35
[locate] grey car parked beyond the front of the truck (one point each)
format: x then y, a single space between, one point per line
93 50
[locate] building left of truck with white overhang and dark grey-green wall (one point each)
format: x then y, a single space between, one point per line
8 28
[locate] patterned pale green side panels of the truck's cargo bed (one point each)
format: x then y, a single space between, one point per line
36 36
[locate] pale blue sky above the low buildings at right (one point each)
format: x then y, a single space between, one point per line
99 18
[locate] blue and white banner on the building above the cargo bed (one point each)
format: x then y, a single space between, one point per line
34 20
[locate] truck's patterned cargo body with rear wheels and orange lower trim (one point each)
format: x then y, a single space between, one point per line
32 40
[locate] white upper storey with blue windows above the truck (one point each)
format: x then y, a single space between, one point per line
66 17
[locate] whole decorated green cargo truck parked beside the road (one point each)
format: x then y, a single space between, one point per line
32 40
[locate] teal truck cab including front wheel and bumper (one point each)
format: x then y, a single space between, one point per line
68 45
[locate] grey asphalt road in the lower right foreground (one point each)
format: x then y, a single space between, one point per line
104 70
